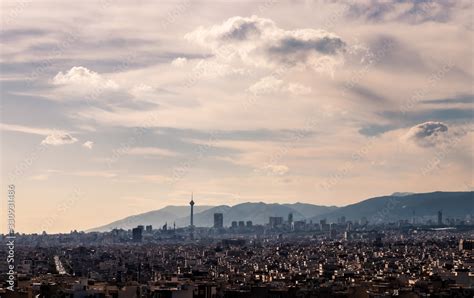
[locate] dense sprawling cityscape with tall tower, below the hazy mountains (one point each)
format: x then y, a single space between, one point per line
283 258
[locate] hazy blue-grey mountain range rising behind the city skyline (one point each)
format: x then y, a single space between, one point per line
379 209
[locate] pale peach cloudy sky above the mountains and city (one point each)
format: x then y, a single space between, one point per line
111 108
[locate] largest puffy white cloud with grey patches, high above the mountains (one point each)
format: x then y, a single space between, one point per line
259 42
